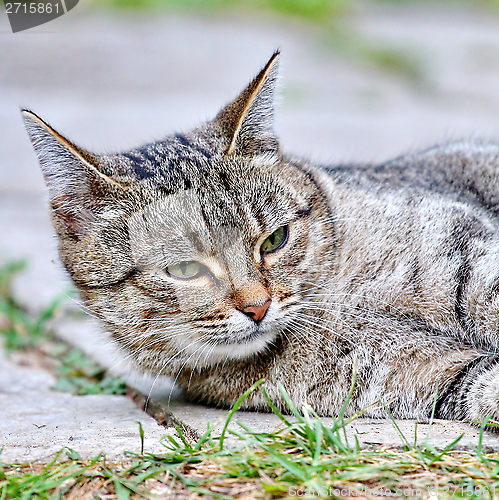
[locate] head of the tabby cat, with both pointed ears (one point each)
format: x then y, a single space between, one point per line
195 249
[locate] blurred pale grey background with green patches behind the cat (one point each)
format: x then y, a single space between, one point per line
361 81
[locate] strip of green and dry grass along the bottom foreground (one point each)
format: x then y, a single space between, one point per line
302 455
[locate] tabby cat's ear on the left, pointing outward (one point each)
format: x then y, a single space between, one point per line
76 181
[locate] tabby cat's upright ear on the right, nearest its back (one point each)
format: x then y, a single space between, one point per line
247 123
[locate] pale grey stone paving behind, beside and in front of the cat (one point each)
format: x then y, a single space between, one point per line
114 81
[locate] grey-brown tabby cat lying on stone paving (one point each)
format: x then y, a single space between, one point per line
212 257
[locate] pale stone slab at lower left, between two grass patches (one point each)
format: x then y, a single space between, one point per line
36 423
